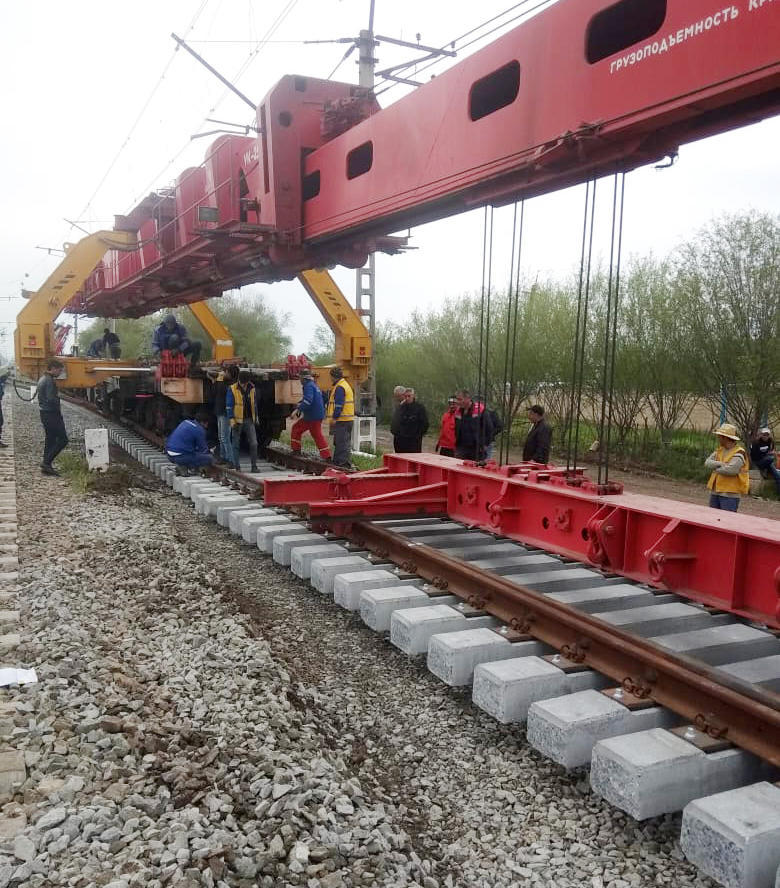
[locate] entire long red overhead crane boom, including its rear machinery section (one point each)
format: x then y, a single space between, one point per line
583 88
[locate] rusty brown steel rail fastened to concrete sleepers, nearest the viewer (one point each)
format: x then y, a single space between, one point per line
716 703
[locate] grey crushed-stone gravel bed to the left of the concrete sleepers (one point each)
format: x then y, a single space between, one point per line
204 718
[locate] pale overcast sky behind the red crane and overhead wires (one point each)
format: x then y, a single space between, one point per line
84 140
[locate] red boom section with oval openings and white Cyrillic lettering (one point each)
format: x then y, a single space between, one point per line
583 88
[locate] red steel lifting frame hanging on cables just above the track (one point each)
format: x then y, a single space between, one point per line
722 559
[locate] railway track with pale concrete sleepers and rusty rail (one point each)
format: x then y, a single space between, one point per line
672 705
